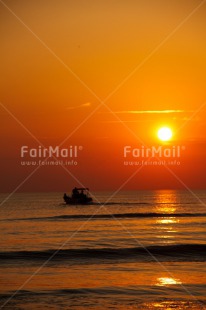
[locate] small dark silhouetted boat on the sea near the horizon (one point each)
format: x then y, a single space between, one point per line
78 196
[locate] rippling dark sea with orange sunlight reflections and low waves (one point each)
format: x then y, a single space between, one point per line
132 250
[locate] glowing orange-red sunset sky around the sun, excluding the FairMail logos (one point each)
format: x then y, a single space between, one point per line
61 59
